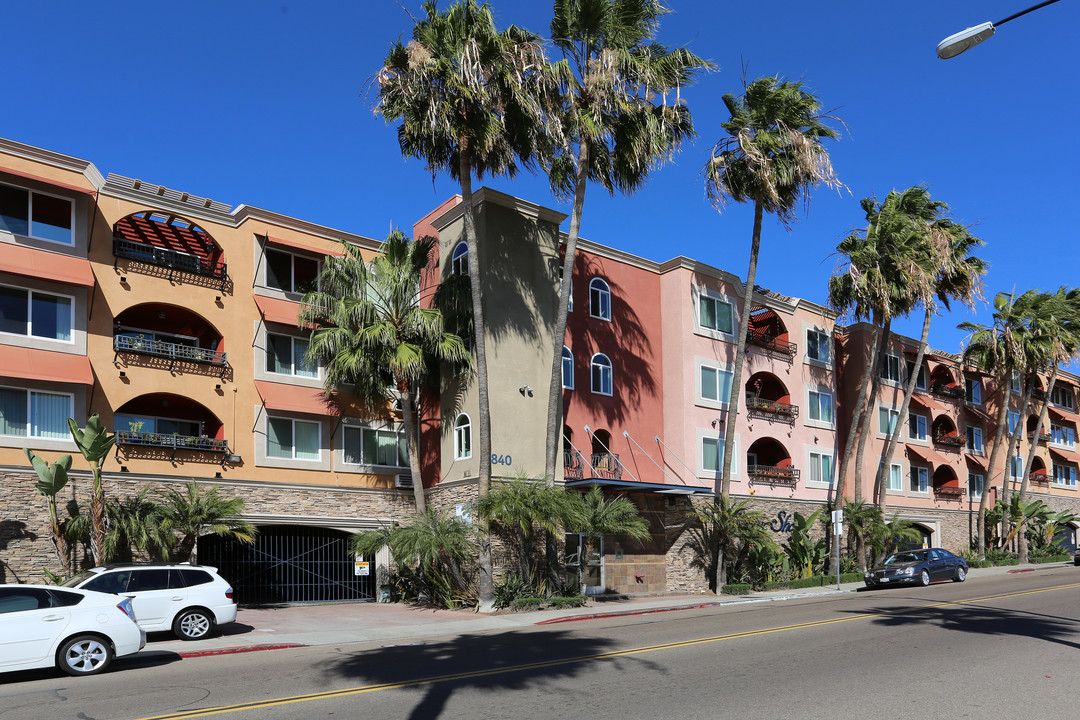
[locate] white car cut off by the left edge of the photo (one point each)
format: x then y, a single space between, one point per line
79 632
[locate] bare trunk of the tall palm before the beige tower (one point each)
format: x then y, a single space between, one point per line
487 586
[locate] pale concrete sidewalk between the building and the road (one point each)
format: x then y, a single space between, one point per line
292 627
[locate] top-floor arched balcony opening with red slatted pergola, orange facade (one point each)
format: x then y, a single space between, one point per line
168 241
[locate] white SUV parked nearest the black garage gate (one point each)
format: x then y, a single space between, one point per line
190 601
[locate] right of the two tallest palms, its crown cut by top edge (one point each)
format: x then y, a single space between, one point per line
623 112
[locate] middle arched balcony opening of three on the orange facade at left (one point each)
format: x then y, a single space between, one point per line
169 337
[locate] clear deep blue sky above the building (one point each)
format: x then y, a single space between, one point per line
269 105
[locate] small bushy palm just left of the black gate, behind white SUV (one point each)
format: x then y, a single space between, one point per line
193 513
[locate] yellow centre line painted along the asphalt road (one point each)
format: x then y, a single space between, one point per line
568 661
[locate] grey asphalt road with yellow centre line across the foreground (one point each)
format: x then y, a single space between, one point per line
1004 647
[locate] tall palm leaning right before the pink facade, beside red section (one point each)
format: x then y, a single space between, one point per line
773 157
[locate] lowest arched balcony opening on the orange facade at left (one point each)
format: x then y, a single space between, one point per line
163 426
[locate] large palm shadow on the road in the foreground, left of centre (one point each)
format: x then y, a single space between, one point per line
508 661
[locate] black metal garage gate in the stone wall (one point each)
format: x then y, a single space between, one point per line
289 564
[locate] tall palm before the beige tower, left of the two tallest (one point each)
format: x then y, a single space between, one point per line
468 100
